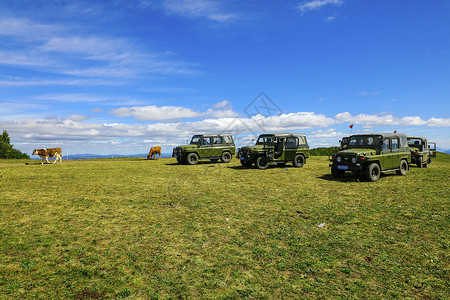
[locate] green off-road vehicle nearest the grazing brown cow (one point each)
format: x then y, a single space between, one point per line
206 146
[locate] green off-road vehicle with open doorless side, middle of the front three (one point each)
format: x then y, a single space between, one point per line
280 148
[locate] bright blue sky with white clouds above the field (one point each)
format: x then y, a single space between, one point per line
121 76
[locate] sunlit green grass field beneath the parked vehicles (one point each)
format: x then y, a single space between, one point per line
138 229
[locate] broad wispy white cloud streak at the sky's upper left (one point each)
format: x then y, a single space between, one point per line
58 50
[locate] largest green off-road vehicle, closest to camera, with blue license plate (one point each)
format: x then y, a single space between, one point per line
371 154
